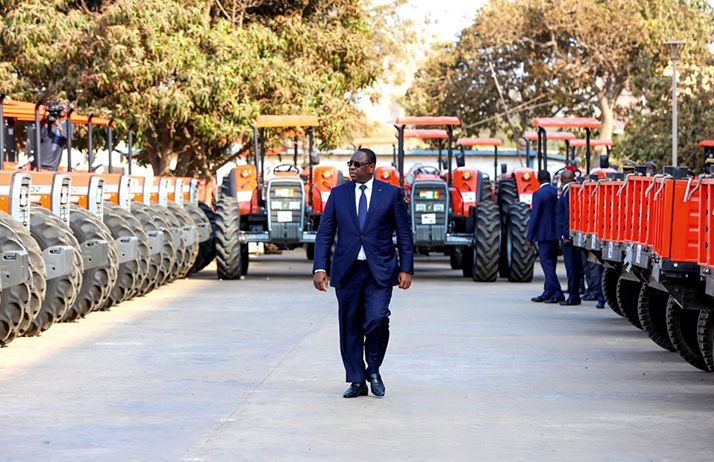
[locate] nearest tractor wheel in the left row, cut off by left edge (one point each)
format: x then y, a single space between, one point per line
15 301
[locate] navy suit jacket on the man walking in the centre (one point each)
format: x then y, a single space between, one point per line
387 214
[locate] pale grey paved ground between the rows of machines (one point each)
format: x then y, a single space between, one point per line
204 370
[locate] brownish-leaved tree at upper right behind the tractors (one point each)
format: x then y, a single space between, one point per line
554 57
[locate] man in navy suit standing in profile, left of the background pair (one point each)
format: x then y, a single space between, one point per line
541 229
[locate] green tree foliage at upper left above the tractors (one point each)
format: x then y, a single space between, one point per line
191 75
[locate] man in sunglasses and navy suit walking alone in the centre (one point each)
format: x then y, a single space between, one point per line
364 214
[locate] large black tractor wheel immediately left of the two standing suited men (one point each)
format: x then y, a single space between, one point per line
520 258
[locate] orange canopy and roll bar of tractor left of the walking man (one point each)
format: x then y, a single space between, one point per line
264 122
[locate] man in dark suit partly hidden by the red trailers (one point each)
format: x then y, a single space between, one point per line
571 255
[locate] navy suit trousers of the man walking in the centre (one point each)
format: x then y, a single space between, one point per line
364 321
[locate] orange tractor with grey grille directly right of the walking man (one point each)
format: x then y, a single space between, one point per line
448 213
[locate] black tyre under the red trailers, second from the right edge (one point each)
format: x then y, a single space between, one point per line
682 326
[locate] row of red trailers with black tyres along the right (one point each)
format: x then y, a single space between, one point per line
655 236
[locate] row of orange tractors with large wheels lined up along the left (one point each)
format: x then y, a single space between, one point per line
75 242
